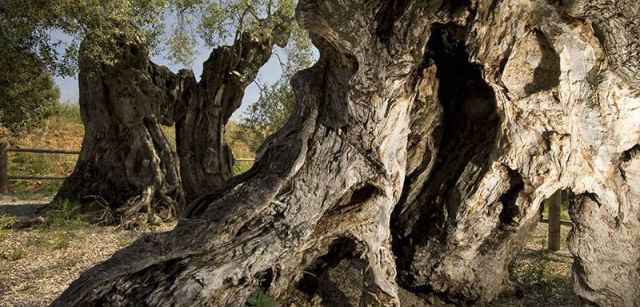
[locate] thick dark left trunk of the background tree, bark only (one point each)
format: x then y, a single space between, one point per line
126 164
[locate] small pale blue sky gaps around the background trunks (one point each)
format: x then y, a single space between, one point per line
269 73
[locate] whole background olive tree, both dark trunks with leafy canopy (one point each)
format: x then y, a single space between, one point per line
125 98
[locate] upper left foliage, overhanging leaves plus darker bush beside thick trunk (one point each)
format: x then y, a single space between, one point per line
41 38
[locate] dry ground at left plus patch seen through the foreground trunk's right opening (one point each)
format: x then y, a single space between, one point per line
39 262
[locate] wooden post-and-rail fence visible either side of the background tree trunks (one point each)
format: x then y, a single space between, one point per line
4 164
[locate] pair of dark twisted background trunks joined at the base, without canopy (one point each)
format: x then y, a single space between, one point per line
127 166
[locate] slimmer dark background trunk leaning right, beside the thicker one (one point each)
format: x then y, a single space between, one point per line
205 158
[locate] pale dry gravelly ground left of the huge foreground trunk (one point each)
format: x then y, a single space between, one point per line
38 263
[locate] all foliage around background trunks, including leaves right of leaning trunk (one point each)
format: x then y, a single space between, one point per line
42 38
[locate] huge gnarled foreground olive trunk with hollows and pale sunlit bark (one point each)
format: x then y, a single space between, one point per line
421 146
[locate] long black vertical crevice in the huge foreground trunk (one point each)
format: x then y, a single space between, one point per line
467 133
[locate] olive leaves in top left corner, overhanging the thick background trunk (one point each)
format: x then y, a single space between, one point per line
40 30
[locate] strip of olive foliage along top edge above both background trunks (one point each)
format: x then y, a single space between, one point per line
49 32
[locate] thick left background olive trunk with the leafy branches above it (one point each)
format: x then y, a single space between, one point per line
116 103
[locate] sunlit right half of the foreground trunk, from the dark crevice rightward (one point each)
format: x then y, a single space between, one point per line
566 120
